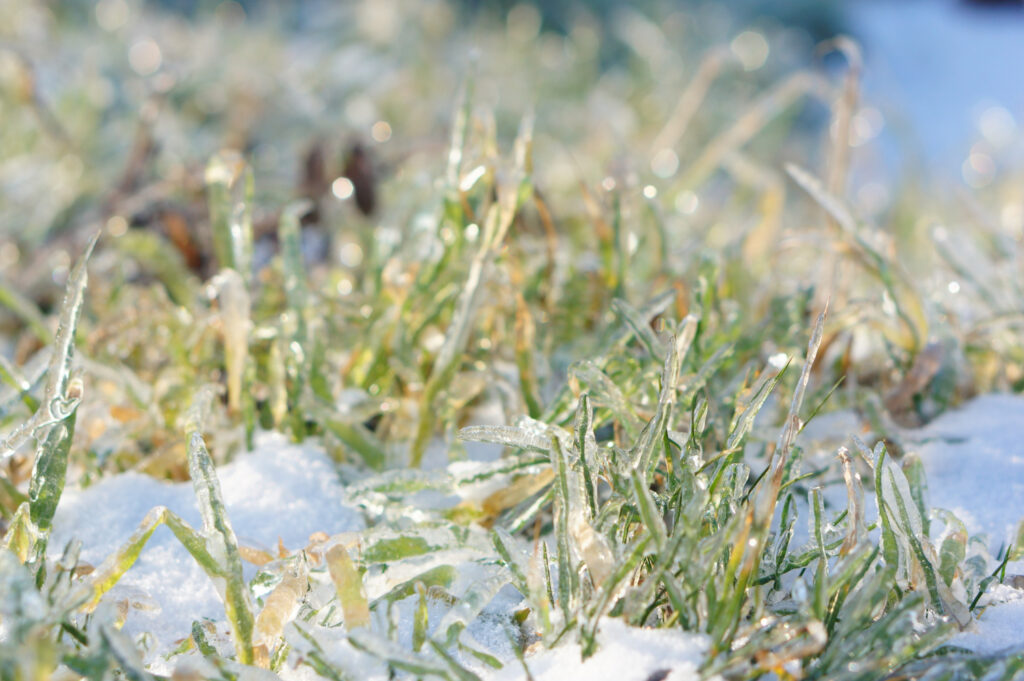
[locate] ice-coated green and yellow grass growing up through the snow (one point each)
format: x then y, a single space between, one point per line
656 366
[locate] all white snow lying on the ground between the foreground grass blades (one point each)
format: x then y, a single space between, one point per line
974 460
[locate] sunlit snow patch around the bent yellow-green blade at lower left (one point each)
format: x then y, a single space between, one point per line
278 491
